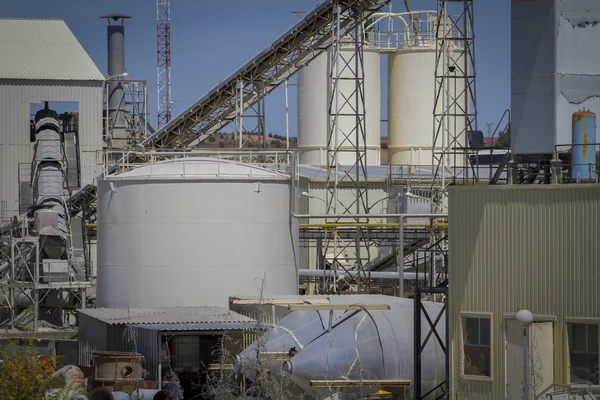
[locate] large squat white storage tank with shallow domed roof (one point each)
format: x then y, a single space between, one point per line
193 232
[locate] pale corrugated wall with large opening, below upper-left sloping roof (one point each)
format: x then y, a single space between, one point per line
16 98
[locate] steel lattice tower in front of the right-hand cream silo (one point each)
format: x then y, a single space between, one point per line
455 106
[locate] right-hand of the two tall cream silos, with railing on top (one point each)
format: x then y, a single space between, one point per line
411 99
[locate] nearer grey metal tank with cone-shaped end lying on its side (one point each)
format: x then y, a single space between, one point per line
375 345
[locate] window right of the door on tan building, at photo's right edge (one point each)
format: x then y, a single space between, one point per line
583 353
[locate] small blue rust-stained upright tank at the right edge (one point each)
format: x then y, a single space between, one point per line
584 149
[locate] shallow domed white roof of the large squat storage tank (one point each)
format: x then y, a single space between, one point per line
199 168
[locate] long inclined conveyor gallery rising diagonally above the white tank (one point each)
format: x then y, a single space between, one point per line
262 74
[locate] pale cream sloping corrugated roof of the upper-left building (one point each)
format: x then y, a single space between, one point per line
43 49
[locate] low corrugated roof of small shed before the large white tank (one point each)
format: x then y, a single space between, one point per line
167 315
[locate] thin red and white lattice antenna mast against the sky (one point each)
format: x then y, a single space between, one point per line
163 51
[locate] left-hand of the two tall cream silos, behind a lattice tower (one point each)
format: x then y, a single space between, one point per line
314 96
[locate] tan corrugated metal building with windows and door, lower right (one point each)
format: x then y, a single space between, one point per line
534 247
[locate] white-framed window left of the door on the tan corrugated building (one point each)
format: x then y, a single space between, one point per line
477 346
